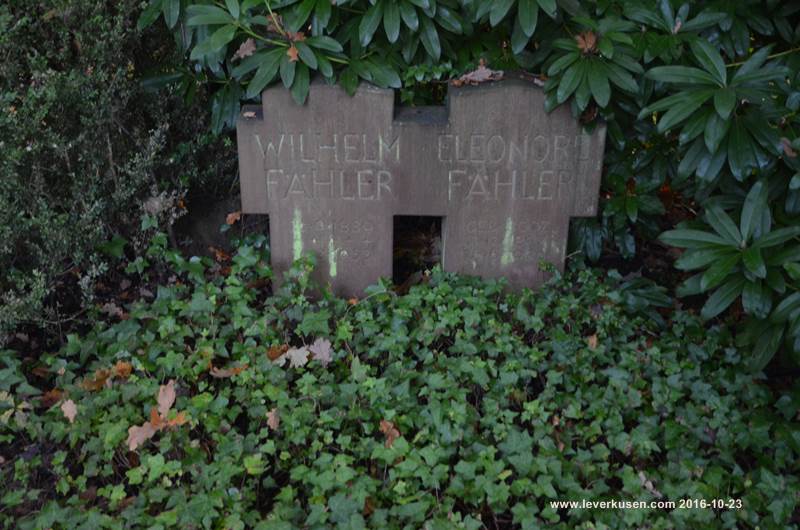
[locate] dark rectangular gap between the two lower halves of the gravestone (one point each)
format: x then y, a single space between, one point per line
417 246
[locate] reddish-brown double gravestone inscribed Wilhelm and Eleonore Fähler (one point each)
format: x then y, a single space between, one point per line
505 176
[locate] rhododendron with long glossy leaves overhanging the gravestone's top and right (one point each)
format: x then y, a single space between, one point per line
701 100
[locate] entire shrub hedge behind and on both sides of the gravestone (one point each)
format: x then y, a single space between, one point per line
701 100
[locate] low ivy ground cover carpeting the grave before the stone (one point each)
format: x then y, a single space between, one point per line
501 403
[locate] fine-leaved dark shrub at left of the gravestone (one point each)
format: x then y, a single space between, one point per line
83 148
